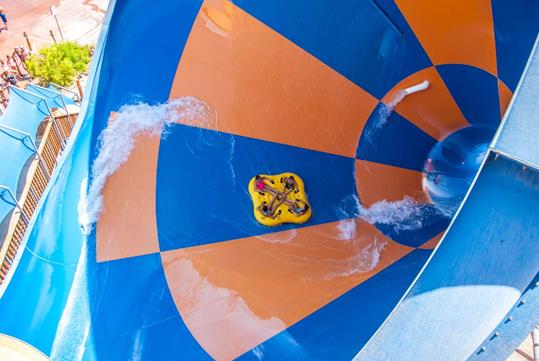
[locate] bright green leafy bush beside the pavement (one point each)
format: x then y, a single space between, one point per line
59 63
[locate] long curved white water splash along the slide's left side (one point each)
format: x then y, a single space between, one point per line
117 141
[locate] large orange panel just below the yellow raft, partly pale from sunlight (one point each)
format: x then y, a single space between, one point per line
234 295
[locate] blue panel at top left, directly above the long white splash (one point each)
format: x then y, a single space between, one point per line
142 73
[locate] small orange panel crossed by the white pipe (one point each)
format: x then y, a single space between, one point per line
433 110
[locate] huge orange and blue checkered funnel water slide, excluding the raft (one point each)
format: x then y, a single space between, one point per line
423 239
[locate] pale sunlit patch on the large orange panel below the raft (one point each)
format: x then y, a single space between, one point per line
239 328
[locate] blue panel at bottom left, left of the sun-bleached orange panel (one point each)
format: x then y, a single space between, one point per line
143 313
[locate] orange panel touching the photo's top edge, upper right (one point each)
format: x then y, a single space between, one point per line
454 32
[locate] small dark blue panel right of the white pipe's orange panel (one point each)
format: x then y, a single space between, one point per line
475 91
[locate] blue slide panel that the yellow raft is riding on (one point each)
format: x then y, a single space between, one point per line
202 180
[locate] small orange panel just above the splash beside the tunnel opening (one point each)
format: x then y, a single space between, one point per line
376 182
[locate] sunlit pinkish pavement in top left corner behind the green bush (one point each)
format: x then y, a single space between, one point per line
80 20
